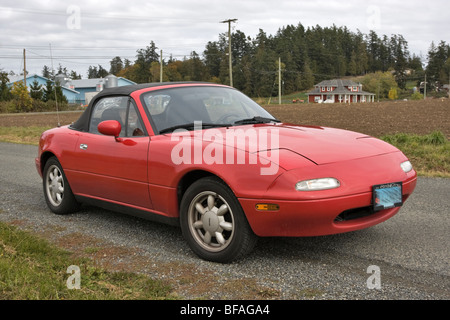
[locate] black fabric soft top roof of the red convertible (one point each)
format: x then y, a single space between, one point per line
82 124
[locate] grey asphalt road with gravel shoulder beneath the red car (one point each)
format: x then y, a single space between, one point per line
410 251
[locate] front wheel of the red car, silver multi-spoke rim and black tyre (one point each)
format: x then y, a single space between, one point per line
213 222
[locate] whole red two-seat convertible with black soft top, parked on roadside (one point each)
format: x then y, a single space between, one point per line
209 159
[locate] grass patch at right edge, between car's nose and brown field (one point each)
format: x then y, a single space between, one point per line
429 154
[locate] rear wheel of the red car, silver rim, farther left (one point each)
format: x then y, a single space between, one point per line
57 192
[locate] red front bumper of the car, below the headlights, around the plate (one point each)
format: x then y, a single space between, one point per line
296 218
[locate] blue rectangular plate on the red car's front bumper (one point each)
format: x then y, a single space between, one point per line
387 196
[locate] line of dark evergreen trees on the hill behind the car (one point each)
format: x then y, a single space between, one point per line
307 55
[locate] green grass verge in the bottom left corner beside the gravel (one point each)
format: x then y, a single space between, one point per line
33 269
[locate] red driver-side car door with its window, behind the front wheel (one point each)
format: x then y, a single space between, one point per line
114 169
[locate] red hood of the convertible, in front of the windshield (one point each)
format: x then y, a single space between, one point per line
320 145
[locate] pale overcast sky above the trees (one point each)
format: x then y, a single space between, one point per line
83 33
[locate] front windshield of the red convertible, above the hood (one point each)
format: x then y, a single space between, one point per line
212 106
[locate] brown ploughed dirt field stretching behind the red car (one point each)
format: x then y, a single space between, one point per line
376 119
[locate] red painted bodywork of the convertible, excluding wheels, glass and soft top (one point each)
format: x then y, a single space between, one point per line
138 172
